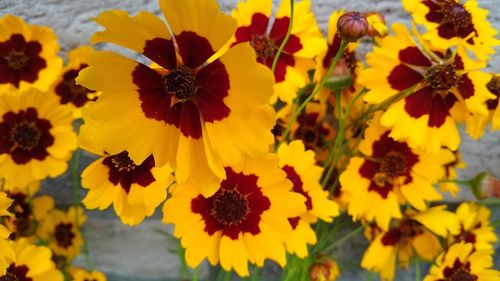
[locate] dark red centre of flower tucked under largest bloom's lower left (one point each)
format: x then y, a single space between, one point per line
123 171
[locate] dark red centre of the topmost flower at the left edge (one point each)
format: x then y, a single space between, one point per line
20 60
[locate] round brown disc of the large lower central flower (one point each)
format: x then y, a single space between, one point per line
229 207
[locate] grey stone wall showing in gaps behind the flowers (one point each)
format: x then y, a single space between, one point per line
141 253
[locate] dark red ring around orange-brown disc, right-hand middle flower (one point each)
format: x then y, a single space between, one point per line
381 148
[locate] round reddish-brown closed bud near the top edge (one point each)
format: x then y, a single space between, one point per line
352 26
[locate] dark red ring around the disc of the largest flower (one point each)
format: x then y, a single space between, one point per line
212 84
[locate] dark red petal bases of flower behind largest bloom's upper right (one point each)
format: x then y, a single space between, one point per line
257 29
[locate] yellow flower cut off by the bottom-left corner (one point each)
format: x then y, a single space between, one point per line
31 263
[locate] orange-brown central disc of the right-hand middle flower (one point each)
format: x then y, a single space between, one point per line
391 166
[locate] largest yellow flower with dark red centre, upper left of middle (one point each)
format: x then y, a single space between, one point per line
198 111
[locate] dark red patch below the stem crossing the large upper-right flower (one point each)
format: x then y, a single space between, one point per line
425 102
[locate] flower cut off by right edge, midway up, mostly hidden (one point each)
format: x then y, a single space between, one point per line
476 124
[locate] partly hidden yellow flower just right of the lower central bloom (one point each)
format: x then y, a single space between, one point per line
299 166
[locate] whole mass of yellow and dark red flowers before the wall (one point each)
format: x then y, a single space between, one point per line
259 138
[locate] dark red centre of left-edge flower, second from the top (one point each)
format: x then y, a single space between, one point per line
25 136
